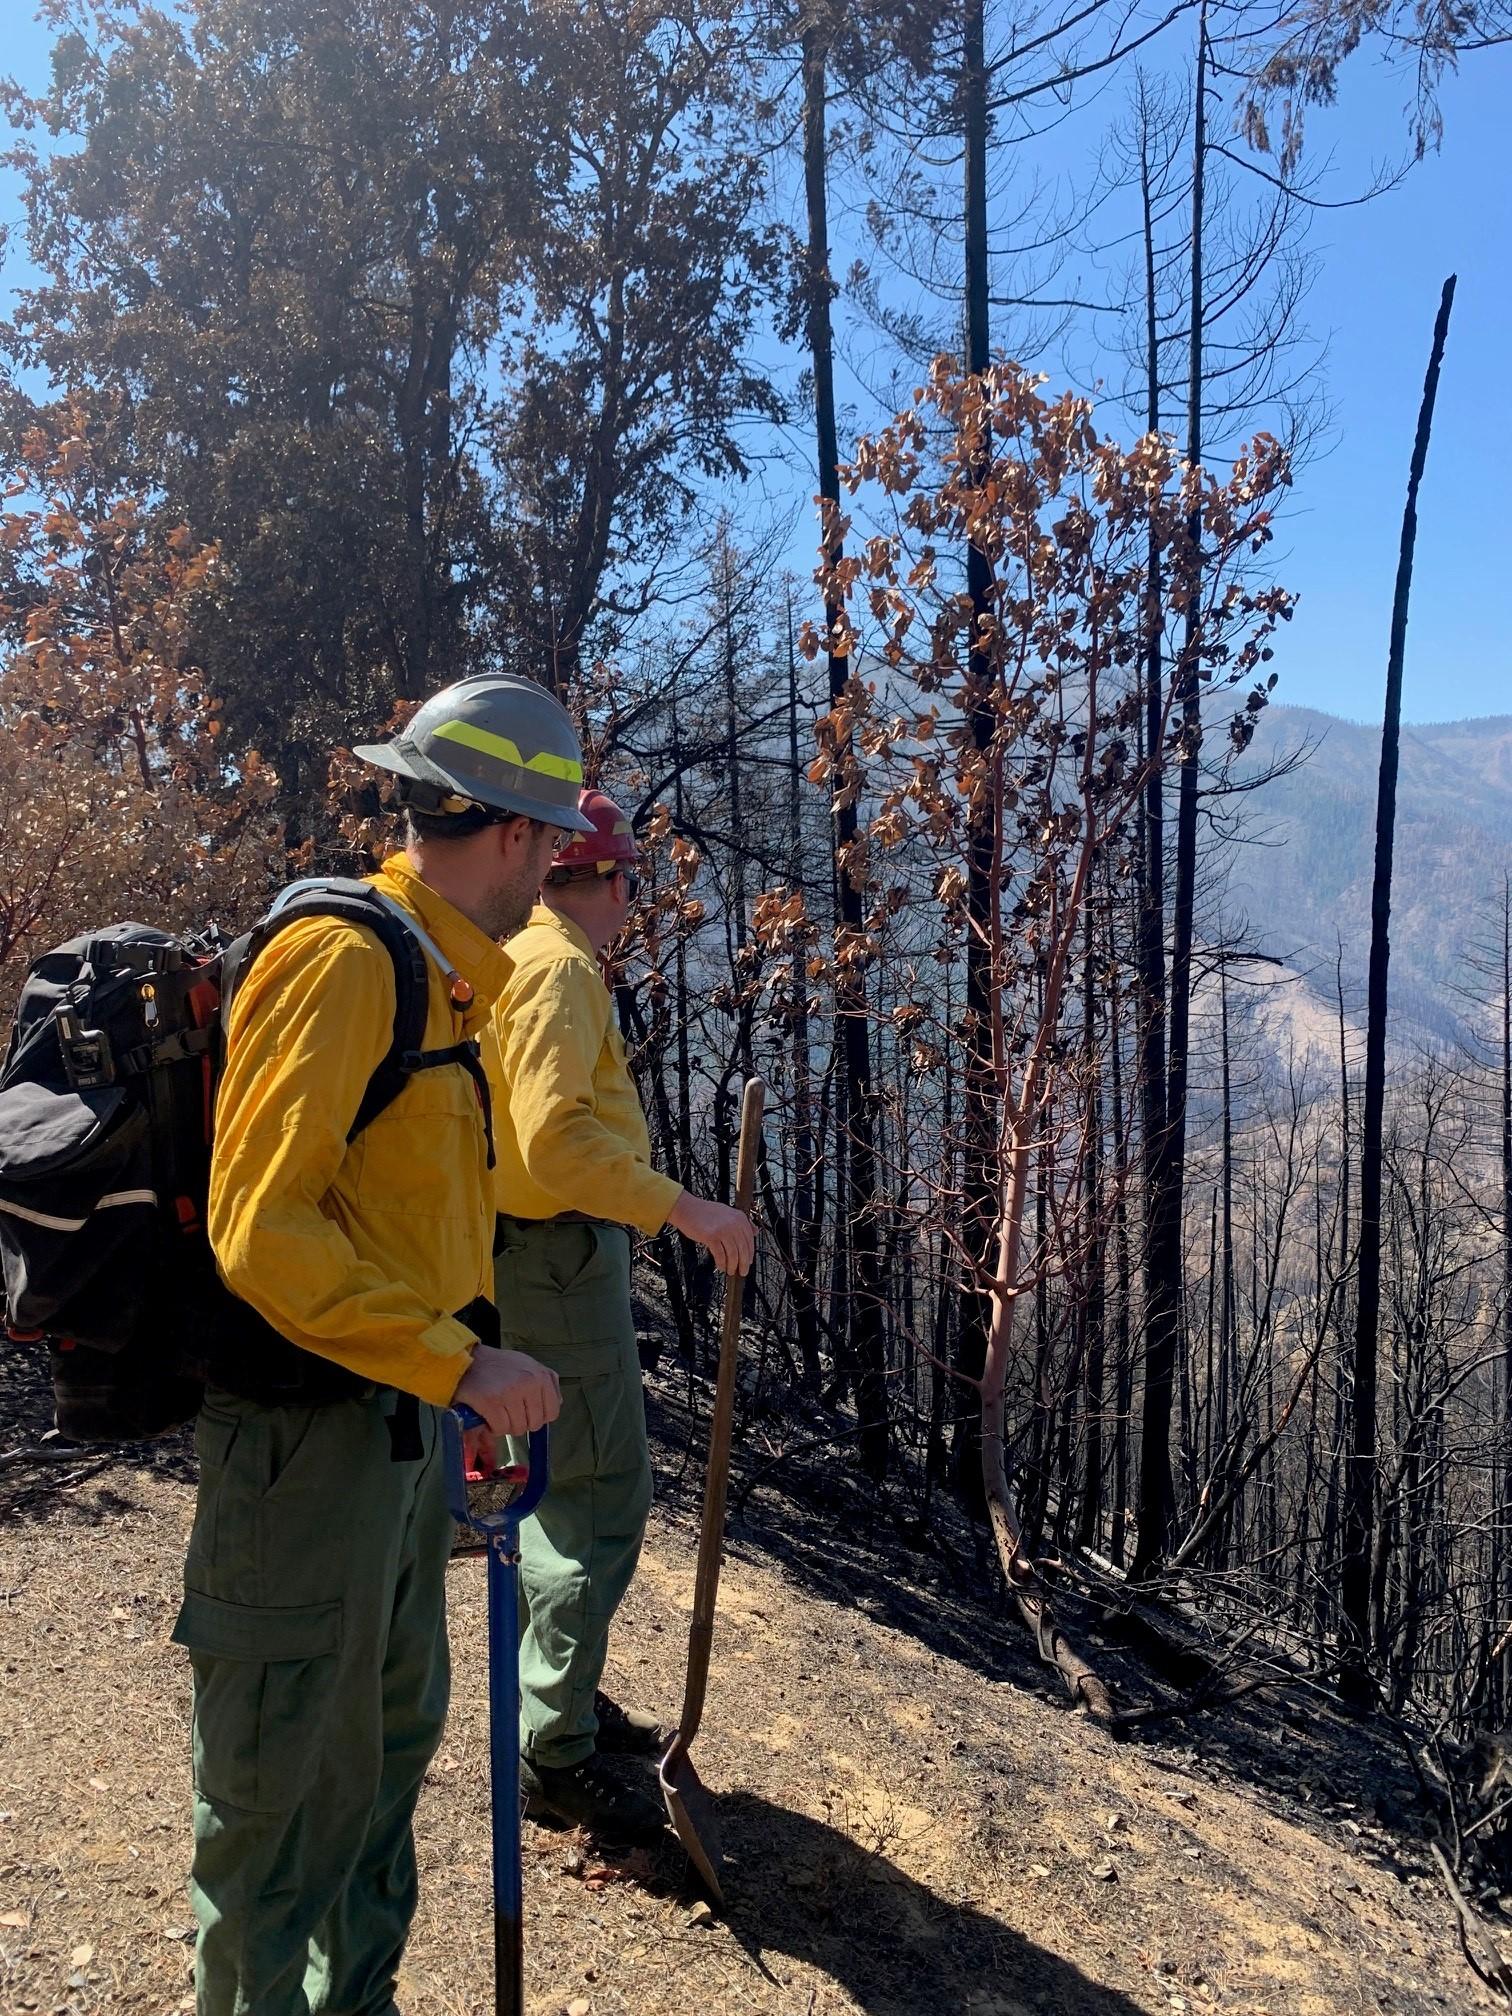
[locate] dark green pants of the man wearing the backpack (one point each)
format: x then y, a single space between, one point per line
316 1624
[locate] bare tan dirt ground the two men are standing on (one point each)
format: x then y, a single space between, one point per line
914 1819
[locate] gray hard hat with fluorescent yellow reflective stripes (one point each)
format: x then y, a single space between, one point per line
489 741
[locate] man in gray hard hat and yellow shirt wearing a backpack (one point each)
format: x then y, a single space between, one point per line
313 1590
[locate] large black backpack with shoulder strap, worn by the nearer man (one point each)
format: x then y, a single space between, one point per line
108 1102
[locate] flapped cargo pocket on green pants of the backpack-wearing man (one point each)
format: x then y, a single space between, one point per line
263 1688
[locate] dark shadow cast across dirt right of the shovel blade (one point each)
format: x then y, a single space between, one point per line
803 1892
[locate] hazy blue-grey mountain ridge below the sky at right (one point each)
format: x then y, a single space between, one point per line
1305 880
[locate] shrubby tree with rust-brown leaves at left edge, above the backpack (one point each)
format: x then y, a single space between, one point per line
118 795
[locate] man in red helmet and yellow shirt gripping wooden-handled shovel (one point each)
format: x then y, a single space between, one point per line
574 1176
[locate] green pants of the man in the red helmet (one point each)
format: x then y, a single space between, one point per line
563 1295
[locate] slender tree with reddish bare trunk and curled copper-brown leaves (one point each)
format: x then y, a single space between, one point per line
1067 523
